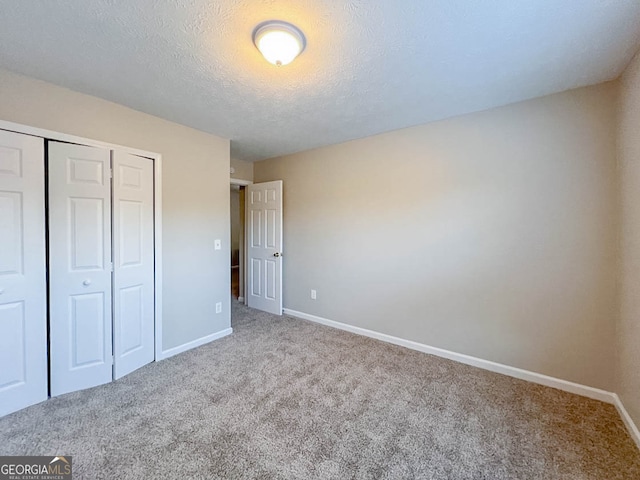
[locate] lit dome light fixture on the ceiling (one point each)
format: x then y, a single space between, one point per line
279 42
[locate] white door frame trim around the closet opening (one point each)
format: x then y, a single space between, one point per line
157 201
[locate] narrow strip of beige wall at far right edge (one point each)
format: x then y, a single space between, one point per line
628 385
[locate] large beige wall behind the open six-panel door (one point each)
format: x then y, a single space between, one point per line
491 234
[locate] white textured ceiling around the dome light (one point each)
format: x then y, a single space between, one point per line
370 65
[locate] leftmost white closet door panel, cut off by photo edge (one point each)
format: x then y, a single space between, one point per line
23 300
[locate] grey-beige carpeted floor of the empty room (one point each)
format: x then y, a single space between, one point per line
285 398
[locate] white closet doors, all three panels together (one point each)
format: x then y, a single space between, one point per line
77 282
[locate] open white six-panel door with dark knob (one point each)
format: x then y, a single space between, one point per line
264 246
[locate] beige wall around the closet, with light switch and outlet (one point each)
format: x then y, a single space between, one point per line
195 193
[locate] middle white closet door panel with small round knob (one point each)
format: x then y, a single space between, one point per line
80 267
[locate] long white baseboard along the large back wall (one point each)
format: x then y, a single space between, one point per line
534 377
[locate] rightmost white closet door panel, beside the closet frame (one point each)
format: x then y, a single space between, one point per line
133 255
